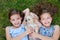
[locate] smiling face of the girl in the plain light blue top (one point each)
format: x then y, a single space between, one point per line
15 20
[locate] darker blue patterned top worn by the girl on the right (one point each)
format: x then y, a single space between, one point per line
47 31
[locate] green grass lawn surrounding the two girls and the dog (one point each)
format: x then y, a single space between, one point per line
6 5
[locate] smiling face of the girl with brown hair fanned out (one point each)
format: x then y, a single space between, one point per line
46 19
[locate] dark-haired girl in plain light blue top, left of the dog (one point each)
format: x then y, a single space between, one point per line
17 31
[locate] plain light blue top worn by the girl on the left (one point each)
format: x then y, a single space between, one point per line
18 31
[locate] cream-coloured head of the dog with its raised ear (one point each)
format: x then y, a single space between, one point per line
30 17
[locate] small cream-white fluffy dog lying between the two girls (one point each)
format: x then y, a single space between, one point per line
31 20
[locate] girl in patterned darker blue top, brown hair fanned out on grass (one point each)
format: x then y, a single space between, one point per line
46 30
